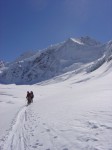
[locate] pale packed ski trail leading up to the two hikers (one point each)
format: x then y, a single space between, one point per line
16 137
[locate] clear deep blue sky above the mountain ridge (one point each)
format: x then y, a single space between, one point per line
36 24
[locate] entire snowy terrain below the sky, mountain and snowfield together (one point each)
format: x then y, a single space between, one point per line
75 114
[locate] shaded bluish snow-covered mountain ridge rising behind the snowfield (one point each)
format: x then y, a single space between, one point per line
72 54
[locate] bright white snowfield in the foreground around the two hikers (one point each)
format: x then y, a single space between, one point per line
73 114
